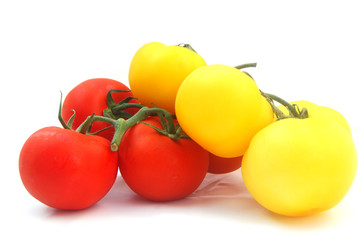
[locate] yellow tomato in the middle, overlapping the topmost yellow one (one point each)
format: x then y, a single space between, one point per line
221 108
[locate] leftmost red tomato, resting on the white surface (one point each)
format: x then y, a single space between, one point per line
65 169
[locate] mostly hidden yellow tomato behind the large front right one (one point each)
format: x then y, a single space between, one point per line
318 111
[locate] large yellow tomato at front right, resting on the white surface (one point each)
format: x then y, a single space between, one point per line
297 167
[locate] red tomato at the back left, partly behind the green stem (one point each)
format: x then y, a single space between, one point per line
90 97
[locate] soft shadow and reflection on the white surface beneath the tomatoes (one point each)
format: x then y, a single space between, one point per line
218 197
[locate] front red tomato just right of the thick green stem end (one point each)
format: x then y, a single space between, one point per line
158 168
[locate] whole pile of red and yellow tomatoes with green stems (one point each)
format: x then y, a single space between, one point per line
180 119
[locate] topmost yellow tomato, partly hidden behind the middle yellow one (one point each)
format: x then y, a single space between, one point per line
157 71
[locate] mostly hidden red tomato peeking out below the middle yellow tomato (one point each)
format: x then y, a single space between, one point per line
220 165
